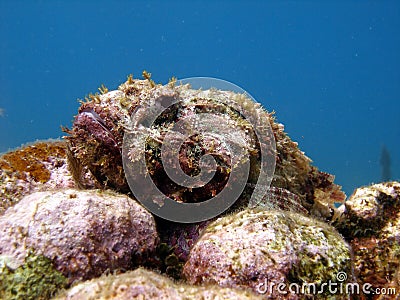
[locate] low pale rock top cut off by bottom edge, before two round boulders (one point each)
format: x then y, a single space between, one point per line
143 284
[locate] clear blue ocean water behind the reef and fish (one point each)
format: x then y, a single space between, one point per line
330 69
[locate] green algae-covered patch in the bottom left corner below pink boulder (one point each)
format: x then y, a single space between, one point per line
36 278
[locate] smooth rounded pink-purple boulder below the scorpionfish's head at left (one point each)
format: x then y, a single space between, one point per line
83 233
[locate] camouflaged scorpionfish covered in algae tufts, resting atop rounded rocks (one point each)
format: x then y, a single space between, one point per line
96 139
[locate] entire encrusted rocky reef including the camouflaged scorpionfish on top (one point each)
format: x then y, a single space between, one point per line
68 218
